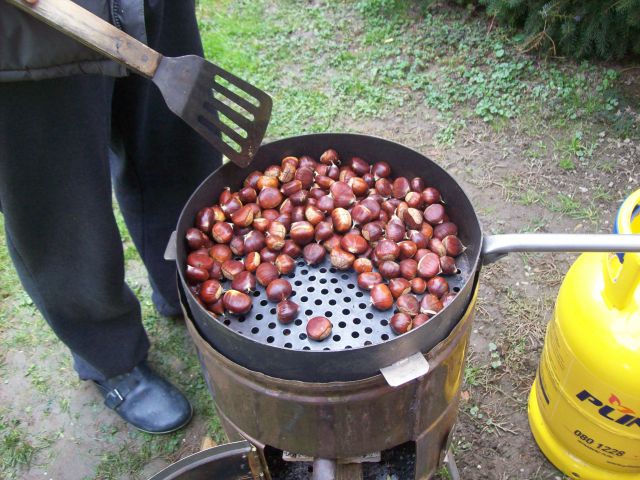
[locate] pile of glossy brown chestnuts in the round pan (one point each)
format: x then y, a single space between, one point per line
395 233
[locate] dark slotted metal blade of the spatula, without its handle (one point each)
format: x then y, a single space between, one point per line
212 100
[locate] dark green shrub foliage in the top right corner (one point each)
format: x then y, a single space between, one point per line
591 28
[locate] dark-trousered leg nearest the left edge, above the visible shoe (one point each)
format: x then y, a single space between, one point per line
55 193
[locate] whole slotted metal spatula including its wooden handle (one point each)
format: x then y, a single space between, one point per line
193 88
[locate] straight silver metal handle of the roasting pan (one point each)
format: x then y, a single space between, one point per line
495 247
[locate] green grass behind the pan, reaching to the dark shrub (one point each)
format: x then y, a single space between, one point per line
321 74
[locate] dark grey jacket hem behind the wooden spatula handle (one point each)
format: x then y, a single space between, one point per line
32 50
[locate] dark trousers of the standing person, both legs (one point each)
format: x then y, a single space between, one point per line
56 177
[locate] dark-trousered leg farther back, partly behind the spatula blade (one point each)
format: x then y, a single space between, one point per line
160 160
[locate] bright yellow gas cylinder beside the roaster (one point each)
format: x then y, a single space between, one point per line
584 406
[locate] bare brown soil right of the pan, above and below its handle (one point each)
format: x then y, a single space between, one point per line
517 294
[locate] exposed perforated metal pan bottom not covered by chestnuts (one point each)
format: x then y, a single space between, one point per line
326 291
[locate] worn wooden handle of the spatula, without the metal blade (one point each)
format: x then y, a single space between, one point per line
89 29
